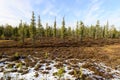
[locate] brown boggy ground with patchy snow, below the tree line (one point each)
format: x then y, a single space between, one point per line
88 60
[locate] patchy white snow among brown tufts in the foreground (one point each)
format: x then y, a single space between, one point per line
31 73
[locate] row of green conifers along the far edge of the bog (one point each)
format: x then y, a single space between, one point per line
35 30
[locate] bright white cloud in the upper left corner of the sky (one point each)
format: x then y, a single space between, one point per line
11 11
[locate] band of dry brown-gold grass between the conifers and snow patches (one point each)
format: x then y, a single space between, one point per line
92 50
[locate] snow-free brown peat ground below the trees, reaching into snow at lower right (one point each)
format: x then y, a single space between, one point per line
88 51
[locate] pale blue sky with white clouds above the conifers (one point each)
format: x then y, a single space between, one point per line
88 11
